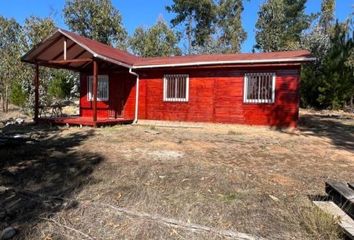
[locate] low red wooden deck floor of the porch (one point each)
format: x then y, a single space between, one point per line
85 121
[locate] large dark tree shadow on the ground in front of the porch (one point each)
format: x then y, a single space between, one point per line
36 177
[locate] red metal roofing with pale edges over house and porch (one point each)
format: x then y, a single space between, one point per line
116 56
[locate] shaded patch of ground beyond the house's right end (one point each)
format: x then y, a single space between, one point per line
332 127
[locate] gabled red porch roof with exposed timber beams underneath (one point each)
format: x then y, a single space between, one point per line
79 52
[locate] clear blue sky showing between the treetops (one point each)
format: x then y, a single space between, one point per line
146 12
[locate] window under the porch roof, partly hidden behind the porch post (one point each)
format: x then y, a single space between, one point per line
102 88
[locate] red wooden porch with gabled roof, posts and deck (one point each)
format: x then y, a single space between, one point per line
105 79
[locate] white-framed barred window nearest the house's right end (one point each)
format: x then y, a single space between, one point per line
259 88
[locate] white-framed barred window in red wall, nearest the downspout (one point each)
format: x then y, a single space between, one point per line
176 88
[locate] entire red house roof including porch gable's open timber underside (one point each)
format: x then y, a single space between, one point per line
80 51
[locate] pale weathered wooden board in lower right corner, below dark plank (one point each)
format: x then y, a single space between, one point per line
345 222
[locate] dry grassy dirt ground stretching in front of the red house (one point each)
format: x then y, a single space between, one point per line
123 182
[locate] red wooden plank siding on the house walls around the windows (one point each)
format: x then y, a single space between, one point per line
215 95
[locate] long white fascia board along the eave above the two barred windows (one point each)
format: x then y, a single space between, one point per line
304 59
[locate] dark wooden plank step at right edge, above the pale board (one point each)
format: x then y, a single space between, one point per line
342 194
